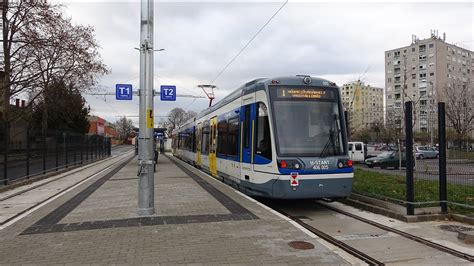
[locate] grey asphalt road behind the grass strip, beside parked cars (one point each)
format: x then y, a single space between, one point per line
459 171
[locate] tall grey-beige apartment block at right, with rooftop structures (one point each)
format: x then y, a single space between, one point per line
422 72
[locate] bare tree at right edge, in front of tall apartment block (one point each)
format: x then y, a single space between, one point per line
460 109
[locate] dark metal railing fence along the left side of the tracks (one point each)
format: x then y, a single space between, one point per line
27 152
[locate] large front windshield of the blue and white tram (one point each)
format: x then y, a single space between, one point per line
307 127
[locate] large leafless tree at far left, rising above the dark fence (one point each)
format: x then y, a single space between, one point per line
41 46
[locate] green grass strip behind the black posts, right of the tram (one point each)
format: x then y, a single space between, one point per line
393 188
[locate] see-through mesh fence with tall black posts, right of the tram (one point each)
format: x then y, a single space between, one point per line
438 165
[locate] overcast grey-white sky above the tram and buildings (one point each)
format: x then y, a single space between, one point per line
336 41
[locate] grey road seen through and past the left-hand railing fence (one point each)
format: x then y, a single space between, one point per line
17 170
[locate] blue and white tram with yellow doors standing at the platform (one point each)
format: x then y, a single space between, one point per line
277 138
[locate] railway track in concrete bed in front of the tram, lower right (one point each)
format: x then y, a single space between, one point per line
364 253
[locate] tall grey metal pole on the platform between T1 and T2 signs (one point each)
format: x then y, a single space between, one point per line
146 185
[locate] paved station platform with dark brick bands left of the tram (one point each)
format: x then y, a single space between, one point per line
198 220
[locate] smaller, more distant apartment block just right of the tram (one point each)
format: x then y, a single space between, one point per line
364 104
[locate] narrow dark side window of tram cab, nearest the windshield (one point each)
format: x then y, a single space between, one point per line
263 141
